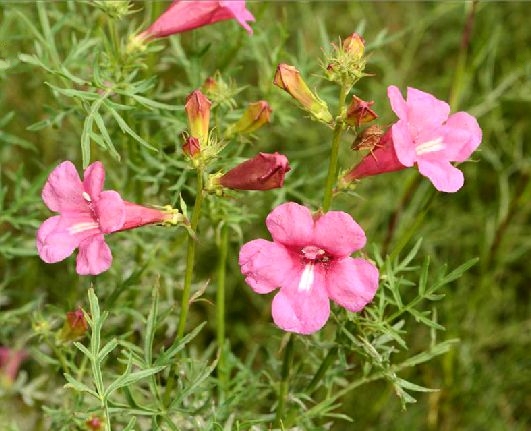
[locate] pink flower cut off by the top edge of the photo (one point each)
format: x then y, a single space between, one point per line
183 16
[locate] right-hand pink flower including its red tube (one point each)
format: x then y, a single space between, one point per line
426 135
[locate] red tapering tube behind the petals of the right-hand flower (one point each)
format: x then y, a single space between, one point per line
383 159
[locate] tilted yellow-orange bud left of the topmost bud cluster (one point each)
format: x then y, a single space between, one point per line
289 79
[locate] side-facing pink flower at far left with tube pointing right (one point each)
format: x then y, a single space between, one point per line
86 214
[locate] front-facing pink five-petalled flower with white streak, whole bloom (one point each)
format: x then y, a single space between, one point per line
309 260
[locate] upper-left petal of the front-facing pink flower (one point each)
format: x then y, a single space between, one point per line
291 224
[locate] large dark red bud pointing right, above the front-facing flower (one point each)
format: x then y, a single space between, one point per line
262 172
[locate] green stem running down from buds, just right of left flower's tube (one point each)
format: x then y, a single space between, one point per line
190 259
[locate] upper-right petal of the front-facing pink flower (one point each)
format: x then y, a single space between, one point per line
338 234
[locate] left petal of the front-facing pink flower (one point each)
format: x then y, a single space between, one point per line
267 265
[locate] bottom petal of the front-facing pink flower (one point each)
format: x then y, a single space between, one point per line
303 312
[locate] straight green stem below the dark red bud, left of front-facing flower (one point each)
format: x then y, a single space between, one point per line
220 310
